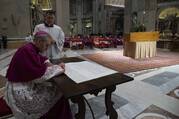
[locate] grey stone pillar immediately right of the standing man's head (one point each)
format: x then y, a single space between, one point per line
63 15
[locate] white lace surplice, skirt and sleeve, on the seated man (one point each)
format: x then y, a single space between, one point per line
31 100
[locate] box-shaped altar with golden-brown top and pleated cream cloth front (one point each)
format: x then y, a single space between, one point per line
140 44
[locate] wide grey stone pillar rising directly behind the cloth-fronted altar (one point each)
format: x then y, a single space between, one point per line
146 13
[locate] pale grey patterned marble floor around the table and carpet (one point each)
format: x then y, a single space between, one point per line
153 94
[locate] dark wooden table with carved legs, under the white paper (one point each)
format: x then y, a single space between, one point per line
75 91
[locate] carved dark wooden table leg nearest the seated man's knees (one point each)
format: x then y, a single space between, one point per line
81 107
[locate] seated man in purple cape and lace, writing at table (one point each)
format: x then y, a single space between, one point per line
28 93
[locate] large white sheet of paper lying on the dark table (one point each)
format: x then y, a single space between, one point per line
84 71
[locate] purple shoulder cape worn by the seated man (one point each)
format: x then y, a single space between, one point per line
26 65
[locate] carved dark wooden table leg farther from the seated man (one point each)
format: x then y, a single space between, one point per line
110 111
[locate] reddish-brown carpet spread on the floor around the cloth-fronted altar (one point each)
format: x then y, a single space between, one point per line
116 61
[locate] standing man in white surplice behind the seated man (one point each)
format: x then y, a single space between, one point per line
55 50
